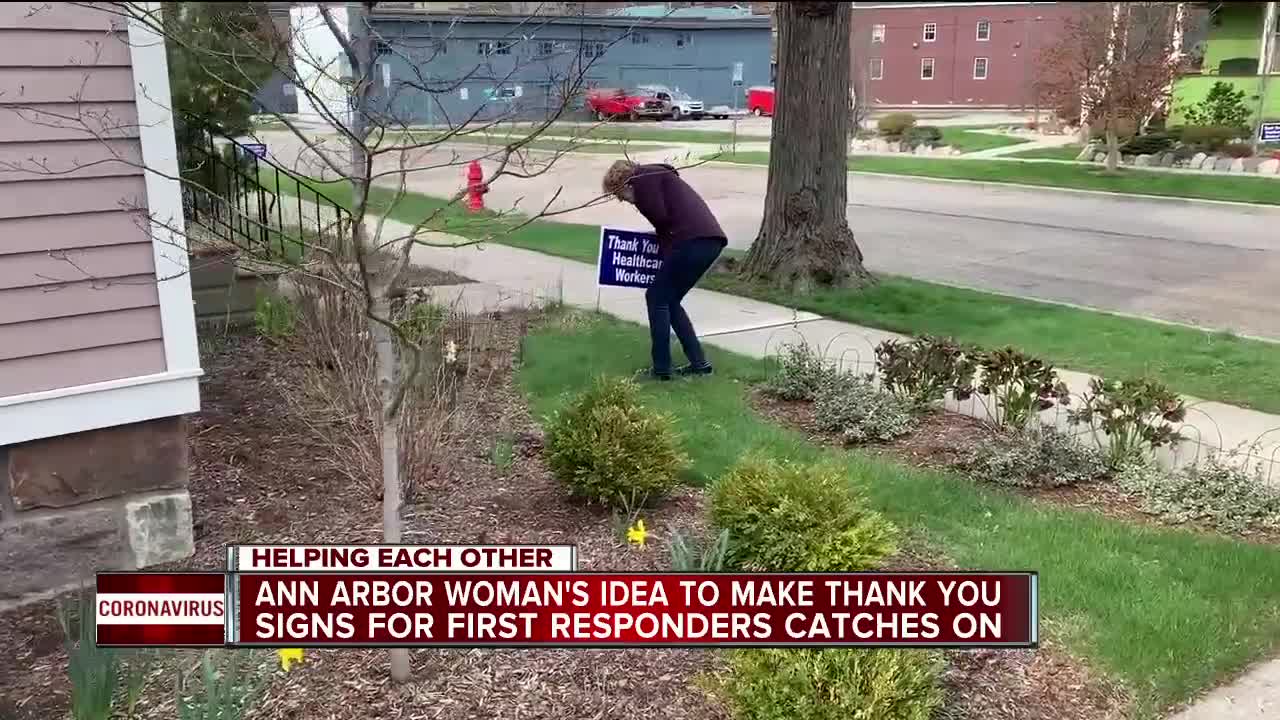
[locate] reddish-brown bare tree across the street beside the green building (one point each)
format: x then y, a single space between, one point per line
1119 60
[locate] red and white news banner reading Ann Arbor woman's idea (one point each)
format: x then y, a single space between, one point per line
534 596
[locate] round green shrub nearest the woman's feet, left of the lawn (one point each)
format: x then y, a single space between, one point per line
607 448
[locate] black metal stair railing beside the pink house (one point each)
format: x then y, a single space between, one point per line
249 202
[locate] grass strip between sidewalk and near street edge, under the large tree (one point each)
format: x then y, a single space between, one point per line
1209 366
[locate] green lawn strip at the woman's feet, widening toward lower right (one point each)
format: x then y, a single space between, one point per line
1165 612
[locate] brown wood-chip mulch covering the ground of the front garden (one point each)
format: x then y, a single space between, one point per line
258 476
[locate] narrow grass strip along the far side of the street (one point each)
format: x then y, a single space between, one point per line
1058 175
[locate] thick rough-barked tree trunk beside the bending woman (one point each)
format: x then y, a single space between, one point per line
806 240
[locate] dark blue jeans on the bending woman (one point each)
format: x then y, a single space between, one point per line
689 261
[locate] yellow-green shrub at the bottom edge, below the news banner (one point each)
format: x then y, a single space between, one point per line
833 685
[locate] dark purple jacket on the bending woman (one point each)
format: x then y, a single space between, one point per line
675 209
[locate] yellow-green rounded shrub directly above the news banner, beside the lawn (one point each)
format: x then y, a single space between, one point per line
798 518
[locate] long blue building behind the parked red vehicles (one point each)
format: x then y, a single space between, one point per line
440 69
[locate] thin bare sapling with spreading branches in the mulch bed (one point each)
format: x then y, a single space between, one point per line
358 252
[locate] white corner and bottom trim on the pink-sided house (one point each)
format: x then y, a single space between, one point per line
145 398
